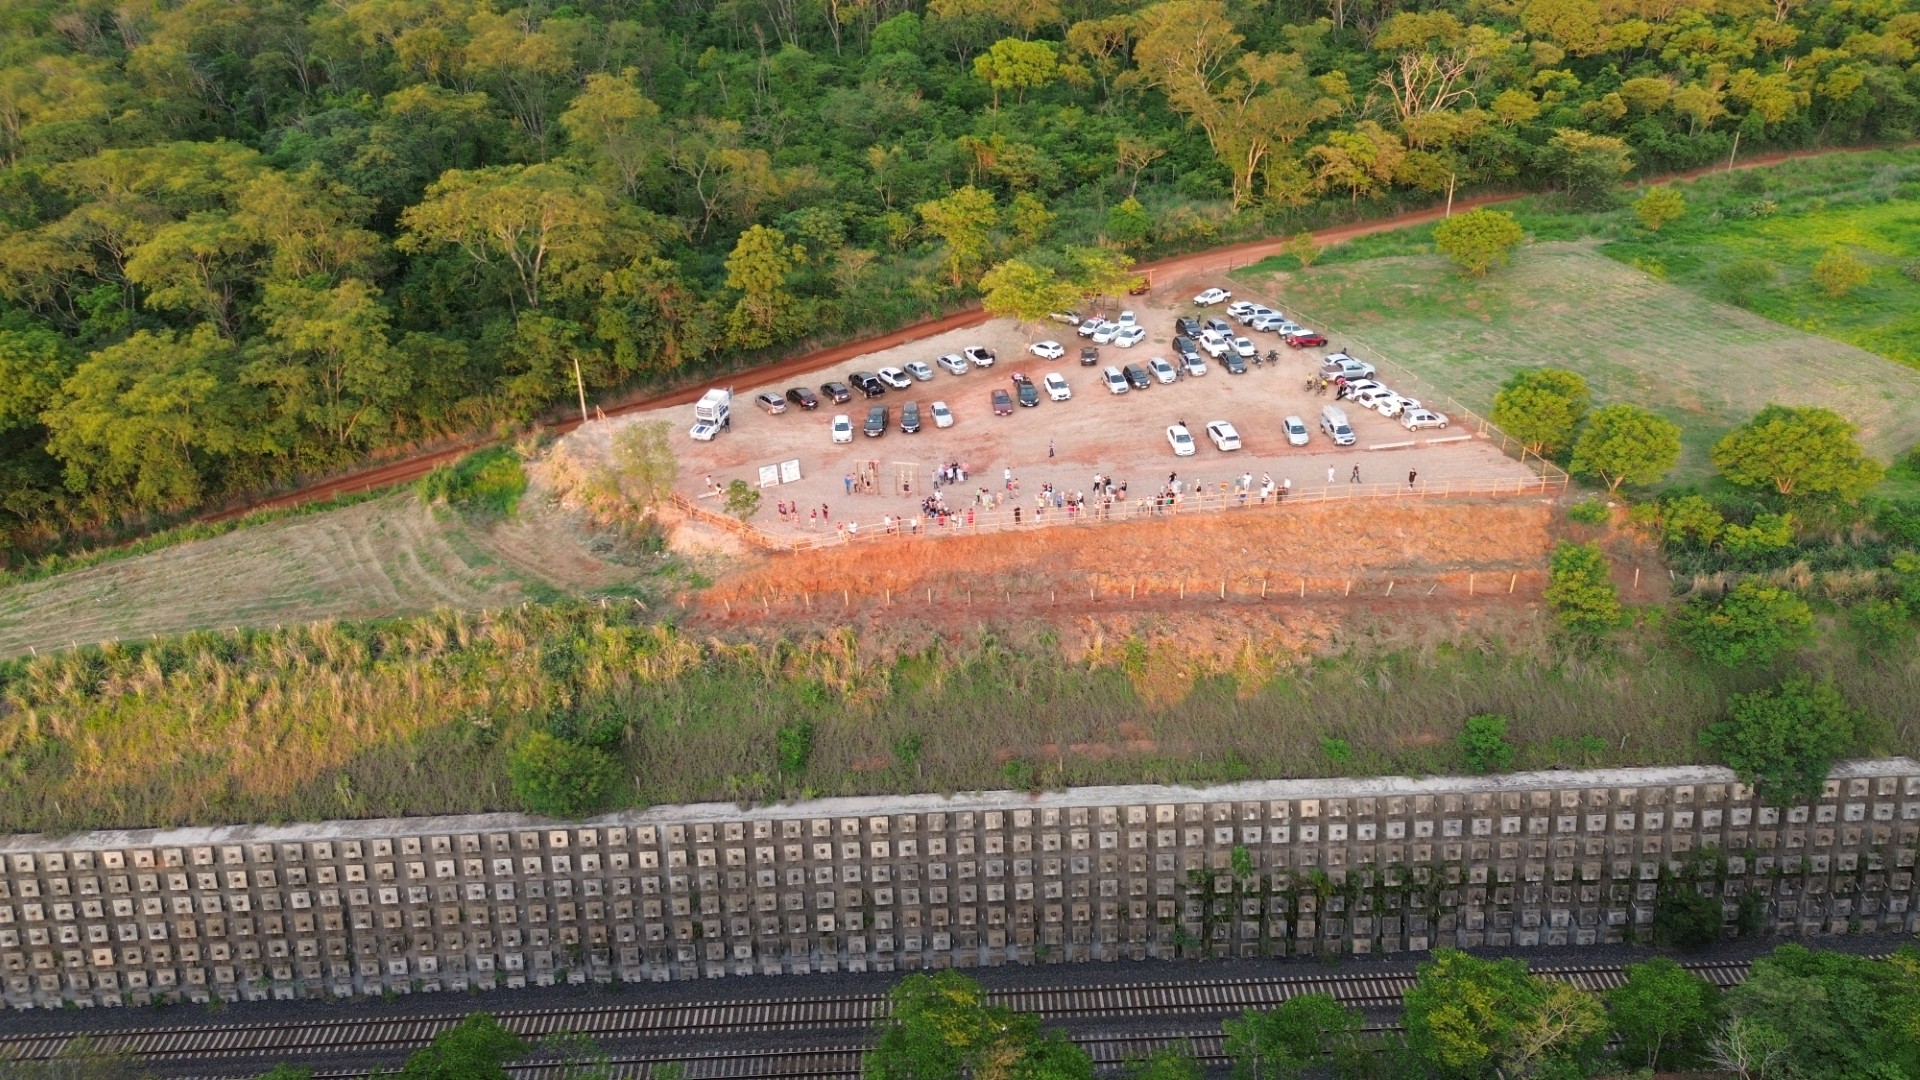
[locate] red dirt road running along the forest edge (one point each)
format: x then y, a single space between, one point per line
1199 262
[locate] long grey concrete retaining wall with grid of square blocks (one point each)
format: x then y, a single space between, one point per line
923 883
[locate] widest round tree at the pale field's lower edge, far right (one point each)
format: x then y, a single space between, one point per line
1798 451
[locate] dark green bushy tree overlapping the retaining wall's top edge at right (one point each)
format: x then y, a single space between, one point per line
1785 741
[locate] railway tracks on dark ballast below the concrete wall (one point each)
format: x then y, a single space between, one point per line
809 1016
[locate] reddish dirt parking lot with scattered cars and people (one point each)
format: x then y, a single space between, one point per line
1059 443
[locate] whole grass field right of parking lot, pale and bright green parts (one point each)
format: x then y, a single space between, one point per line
1646 318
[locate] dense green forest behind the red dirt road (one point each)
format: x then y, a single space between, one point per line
243 241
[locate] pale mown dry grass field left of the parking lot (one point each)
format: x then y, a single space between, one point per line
372 560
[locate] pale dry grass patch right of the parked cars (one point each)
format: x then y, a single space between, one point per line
1637 339
